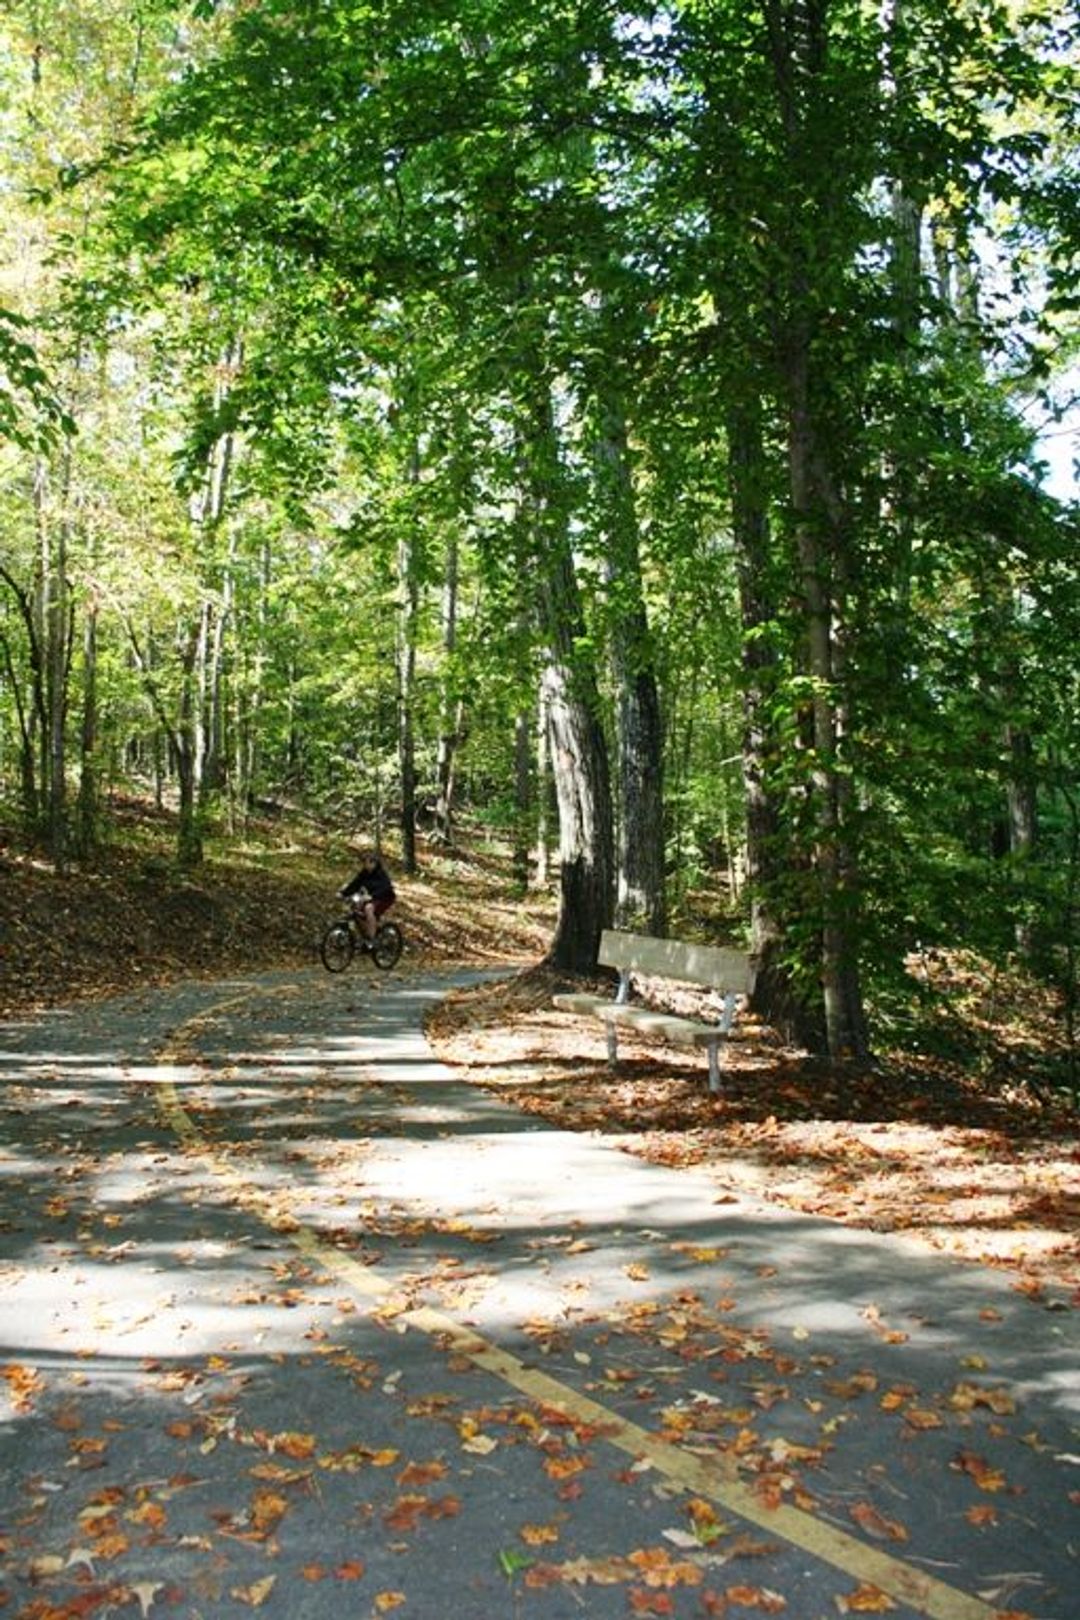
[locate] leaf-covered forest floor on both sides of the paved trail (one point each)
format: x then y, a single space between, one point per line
964 1157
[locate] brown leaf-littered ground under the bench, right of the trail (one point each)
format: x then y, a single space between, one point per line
980 1170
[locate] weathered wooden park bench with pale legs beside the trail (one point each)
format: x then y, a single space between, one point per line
725 971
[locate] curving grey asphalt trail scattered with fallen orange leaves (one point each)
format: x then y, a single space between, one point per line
292 1323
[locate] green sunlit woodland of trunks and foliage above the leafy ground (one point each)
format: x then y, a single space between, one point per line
624 416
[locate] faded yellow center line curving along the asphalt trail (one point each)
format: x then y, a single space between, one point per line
715 1478
